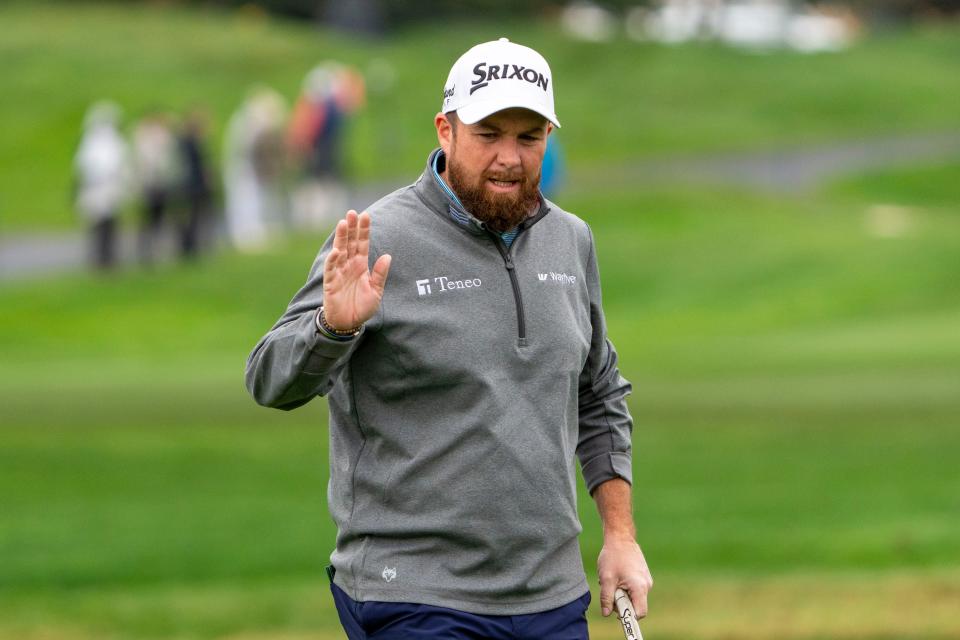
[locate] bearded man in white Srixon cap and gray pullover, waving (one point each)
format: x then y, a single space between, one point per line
462 387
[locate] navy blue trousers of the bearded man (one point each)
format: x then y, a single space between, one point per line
408 621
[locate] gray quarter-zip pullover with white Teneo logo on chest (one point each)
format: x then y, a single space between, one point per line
457 415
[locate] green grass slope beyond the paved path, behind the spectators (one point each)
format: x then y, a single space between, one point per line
617 100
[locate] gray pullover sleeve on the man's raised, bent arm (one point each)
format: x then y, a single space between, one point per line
293 363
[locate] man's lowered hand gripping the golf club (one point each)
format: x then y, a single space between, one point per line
621 565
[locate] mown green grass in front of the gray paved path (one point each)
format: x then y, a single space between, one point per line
796 402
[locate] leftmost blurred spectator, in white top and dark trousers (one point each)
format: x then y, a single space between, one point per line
102 177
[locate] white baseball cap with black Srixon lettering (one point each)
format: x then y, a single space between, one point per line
498 75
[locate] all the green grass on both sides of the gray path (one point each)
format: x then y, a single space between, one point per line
795 357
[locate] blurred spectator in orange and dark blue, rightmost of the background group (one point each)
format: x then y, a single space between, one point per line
331 93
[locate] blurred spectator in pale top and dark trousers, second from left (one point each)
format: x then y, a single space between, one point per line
155 157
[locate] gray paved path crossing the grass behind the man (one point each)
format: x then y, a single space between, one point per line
789 169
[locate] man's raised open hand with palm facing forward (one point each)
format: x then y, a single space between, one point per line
351 291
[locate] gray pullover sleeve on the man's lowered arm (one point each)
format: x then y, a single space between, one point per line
604 443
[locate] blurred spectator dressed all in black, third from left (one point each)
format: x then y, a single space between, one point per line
195 222
